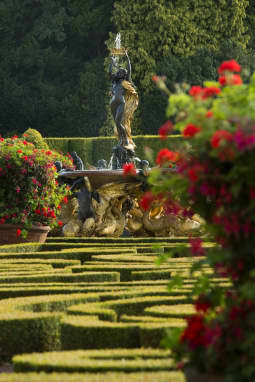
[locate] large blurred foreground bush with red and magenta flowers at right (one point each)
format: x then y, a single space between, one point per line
215 179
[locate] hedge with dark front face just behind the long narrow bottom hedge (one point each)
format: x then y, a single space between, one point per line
80 333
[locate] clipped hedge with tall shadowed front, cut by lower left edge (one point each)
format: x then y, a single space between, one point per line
26 324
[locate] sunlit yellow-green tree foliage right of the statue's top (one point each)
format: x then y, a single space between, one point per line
153 29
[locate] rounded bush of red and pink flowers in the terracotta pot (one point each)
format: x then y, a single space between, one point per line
29 193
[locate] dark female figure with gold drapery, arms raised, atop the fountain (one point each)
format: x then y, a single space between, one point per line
123 103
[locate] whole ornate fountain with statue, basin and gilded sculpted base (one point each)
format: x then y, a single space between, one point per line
104 202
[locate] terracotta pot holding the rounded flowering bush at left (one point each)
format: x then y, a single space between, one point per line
8 234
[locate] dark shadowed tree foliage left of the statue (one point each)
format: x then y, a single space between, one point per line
51 70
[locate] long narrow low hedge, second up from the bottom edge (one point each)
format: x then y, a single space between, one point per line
118 360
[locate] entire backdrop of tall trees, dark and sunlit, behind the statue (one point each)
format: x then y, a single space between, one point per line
53 57
